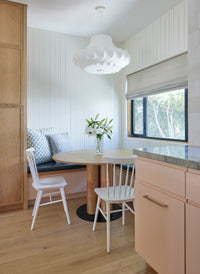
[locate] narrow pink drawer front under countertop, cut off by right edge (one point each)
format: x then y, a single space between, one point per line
193 187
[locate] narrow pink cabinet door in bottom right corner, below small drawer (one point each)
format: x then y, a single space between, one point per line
192 239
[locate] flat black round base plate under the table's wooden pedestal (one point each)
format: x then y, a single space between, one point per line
82 213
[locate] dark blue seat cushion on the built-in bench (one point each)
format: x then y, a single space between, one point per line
56 166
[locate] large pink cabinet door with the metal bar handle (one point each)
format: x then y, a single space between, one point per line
159 230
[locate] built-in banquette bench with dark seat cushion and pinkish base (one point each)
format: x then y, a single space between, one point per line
75 175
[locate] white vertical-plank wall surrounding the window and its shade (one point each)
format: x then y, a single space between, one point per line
163 39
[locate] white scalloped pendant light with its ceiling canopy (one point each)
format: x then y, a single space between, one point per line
101 56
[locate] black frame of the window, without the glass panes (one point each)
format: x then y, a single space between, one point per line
145 124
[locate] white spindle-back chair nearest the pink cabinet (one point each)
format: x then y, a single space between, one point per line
117 191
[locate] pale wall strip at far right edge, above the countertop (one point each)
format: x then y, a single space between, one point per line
194 71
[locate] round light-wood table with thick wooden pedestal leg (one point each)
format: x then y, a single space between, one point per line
96 171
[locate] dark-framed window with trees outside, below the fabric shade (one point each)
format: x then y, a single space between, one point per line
161 116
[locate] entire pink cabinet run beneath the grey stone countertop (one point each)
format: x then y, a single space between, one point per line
167 220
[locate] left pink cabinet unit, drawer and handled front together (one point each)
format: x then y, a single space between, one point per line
160 215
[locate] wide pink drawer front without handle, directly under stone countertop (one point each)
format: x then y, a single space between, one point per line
164 176
